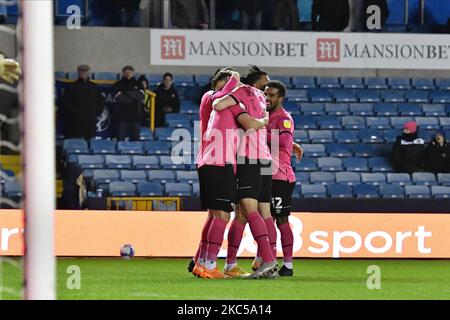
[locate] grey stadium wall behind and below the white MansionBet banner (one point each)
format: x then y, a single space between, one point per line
109 49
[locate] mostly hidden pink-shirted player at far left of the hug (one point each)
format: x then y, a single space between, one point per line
224 81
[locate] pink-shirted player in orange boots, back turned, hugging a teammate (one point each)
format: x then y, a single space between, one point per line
216 169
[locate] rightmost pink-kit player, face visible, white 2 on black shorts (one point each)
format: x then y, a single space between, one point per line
281 124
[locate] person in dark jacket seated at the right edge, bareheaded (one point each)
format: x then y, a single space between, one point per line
437 153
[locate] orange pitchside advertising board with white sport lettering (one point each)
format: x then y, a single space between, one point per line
176 234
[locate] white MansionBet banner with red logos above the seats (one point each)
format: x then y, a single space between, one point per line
299 49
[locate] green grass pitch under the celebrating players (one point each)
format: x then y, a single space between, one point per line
116 278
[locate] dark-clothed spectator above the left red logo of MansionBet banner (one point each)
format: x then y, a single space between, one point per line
189 14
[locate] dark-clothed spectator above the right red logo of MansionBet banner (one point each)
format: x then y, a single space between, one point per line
330 15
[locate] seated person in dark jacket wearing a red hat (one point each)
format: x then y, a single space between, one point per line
408 152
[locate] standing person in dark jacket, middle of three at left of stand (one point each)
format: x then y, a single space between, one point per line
129 102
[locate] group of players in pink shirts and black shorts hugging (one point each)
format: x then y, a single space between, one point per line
244 160
